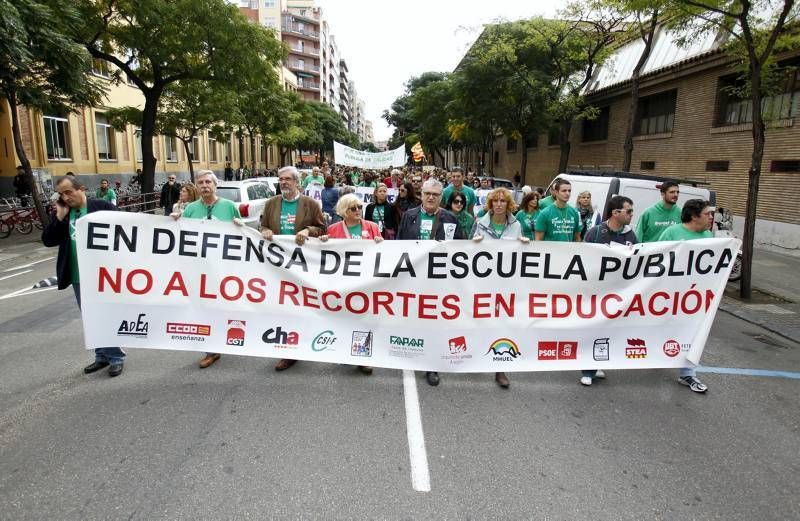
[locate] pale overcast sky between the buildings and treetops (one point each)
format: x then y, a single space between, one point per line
386 42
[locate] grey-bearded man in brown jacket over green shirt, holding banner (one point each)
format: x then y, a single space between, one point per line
291 213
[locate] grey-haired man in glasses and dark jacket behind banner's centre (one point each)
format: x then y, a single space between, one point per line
430 222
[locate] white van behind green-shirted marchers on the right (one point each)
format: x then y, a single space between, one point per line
644 191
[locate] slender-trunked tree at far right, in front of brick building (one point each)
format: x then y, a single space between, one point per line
757 32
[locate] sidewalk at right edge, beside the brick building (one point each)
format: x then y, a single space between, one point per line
775 305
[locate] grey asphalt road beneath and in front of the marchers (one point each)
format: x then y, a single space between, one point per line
167 440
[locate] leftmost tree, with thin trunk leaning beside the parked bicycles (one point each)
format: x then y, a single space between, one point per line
41 68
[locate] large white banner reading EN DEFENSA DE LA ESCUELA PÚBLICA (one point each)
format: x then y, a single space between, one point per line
458 306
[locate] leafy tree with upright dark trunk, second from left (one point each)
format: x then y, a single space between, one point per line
156 43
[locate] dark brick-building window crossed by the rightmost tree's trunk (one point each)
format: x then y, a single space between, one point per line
734 108
